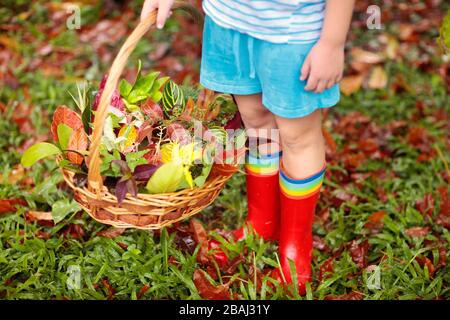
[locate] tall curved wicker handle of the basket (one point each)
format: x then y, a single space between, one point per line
95 182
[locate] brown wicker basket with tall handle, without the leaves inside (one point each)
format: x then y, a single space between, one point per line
146 211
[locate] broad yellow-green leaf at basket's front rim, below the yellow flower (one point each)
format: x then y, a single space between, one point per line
166 178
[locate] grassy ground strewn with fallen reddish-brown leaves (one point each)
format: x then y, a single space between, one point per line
381 229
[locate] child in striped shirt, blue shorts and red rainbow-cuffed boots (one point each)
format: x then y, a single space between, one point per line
282 61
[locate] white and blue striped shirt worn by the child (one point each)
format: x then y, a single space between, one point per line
277 21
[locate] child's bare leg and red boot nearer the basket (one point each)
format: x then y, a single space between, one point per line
262 167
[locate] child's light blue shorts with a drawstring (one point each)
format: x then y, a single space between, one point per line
236 63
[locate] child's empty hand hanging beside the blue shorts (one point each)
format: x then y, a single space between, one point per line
323 66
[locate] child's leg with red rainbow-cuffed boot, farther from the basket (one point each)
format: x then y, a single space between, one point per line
301 174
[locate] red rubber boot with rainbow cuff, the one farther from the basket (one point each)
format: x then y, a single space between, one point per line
298 203
